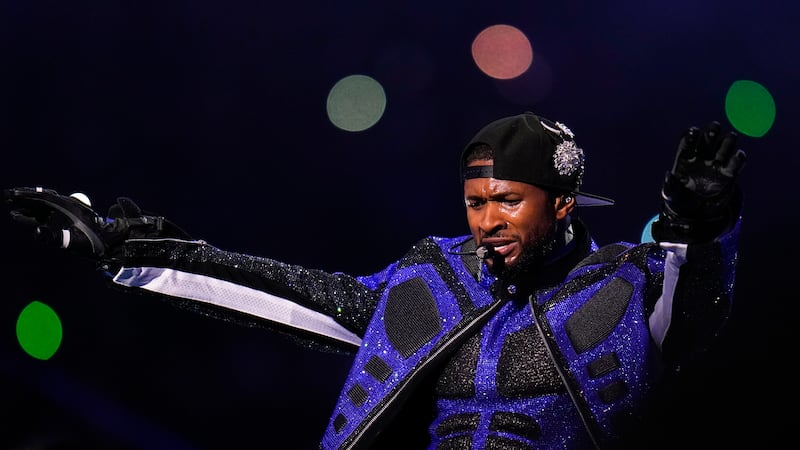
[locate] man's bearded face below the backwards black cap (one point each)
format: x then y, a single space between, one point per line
515 218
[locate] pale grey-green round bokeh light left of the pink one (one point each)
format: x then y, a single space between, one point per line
356 103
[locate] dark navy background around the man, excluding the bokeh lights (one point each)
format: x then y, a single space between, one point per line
213 113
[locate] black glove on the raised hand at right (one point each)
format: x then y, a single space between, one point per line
701 196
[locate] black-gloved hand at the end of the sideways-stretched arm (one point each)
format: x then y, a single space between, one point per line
69 222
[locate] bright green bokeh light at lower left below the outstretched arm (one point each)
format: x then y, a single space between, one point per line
39 330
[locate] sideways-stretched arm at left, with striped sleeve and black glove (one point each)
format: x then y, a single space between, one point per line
145 252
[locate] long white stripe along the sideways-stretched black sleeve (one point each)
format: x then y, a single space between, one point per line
235 297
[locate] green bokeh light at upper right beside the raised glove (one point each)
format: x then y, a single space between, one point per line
750 108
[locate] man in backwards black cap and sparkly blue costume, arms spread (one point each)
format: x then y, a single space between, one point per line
524 334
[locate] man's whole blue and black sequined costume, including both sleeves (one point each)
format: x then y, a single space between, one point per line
449 357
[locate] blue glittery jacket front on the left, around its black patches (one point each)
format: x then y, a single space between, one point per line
461 304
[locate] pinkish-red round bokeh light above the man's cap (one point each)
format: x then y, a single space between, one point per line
502 52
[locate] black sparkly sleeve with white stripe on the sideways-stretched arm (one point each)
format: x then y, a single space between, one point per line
324 309
